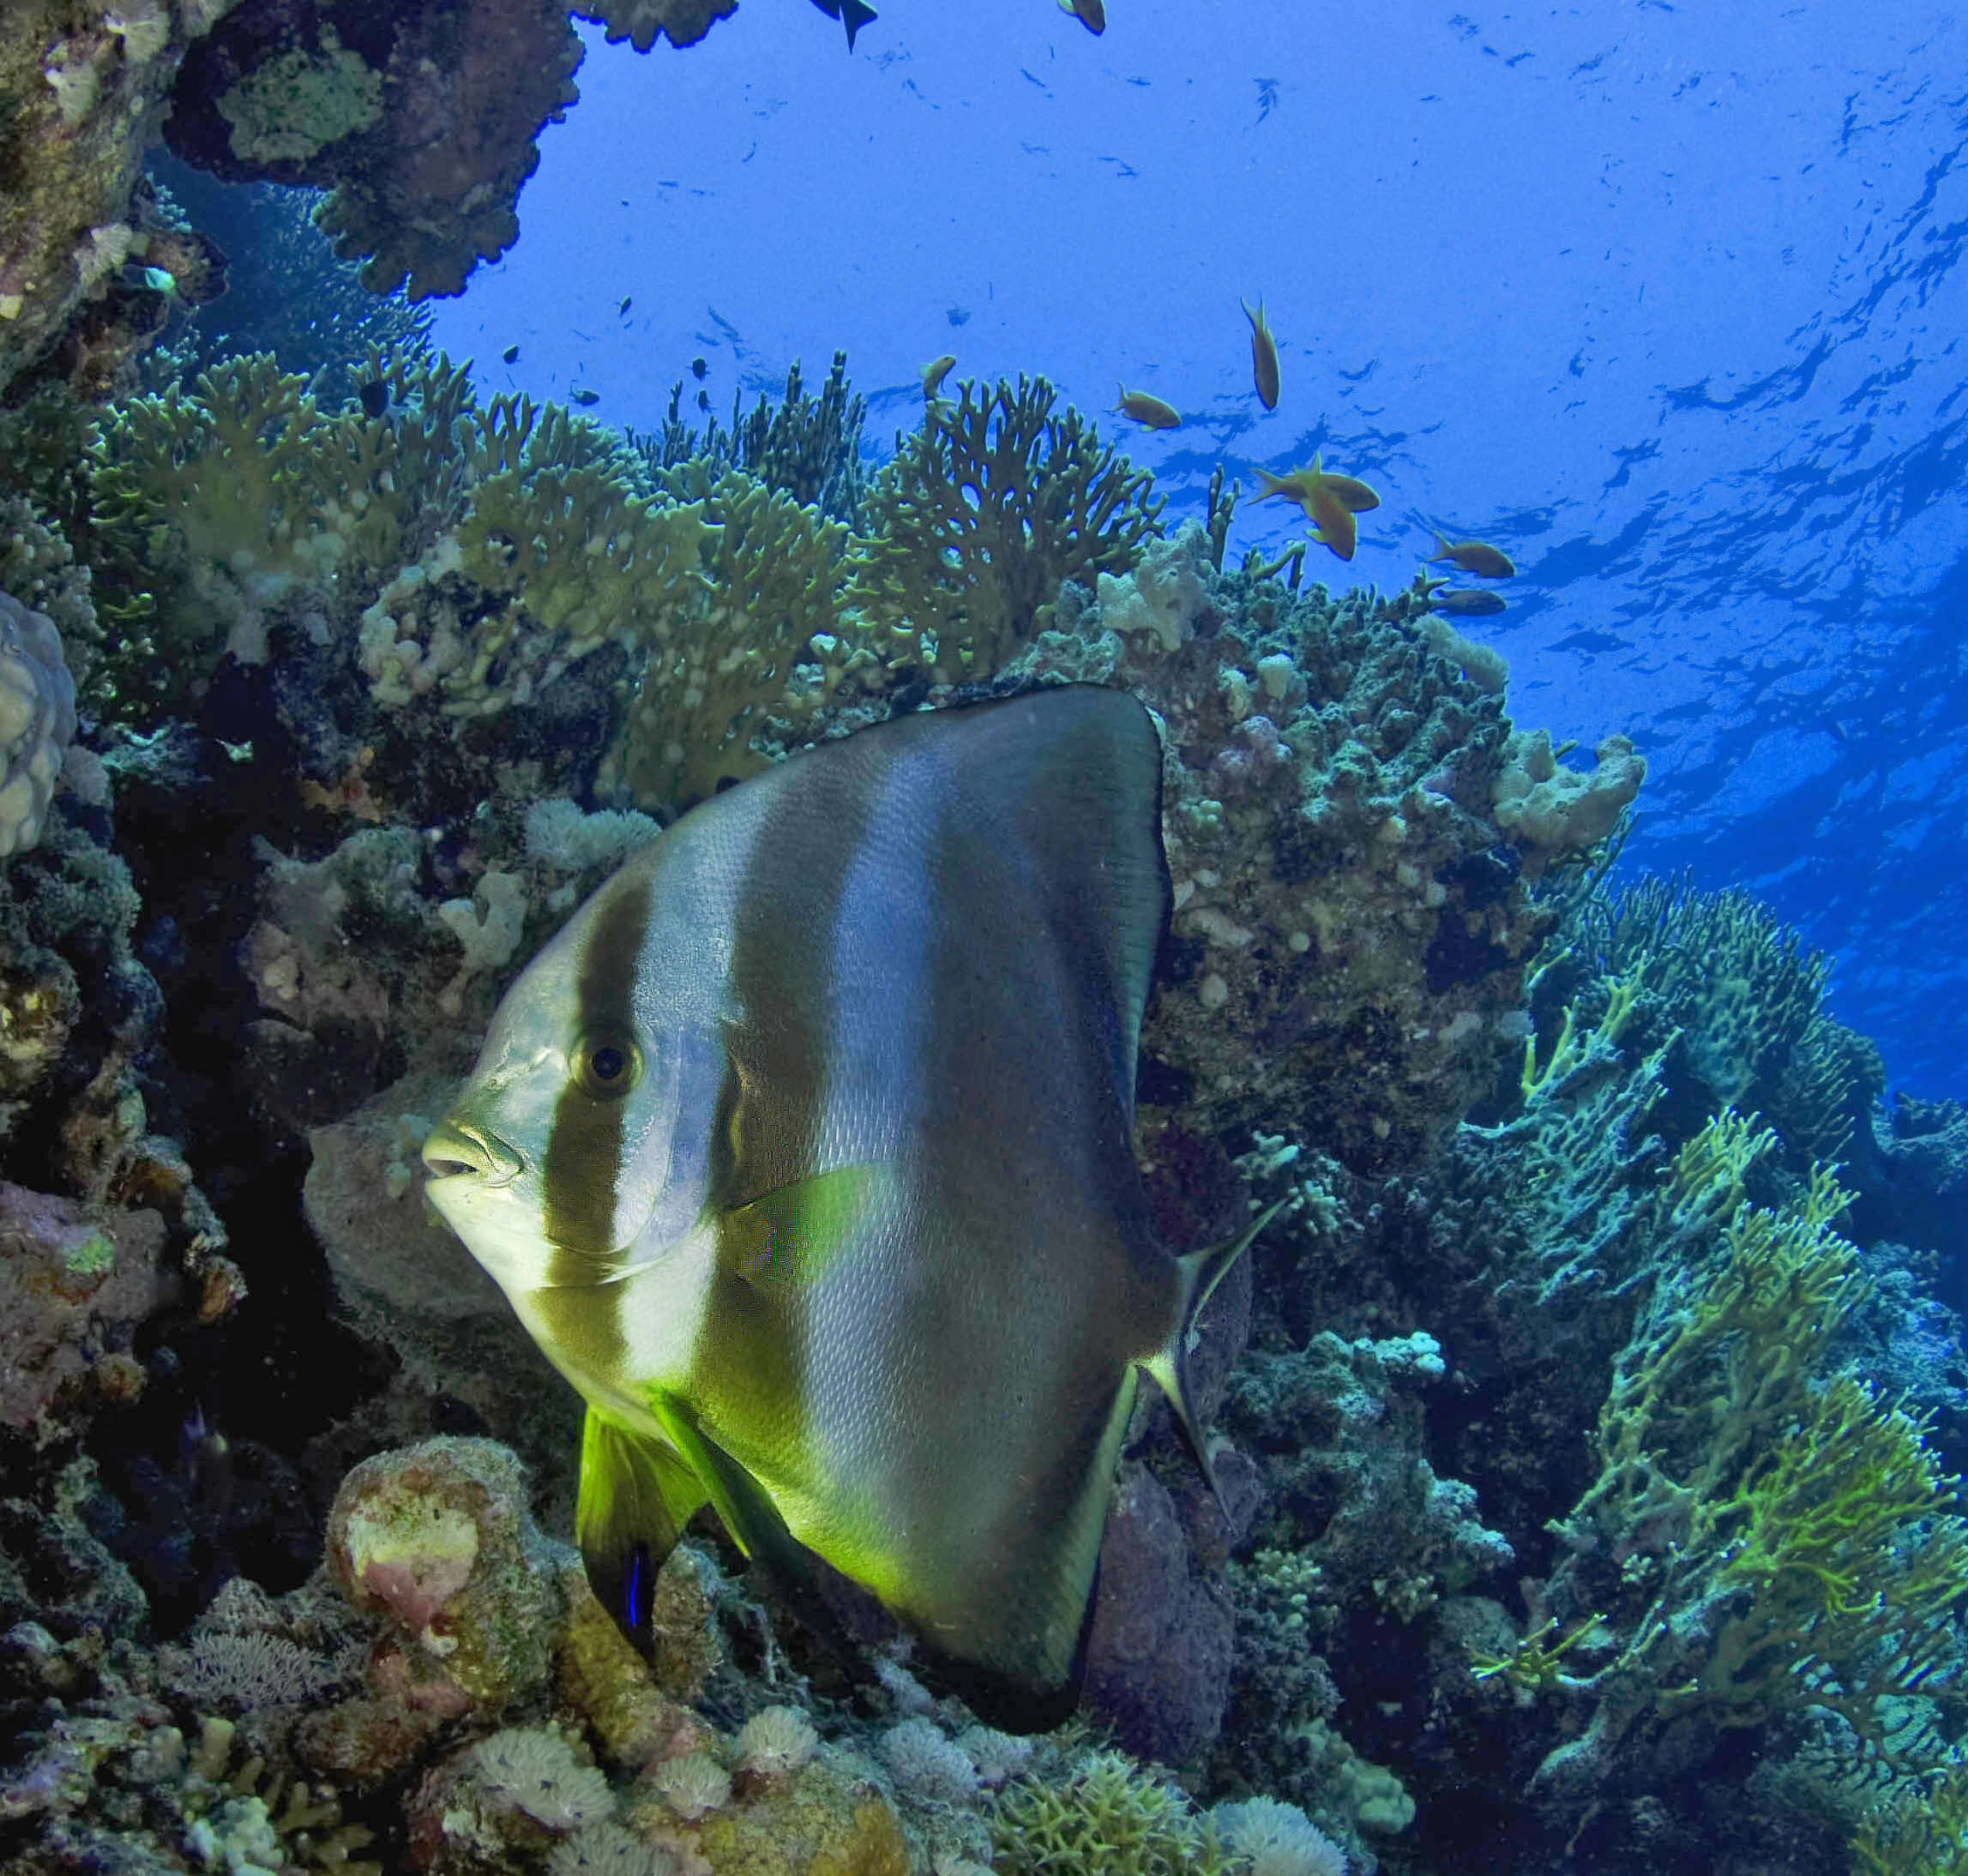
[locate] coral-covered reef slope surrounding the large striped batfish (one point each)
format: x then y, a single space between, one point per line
1593 1442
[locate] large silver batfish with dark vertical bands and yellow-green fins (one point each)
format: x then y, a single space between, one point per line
806 1155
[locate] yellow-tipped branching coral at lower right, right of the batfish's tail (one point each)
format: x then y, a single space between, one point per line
1764 1540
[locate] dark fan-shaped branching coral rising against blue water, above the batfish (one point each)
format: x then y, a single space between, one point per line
979 521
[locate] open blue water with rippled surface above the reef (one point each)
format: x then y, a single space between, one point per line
1664 300
